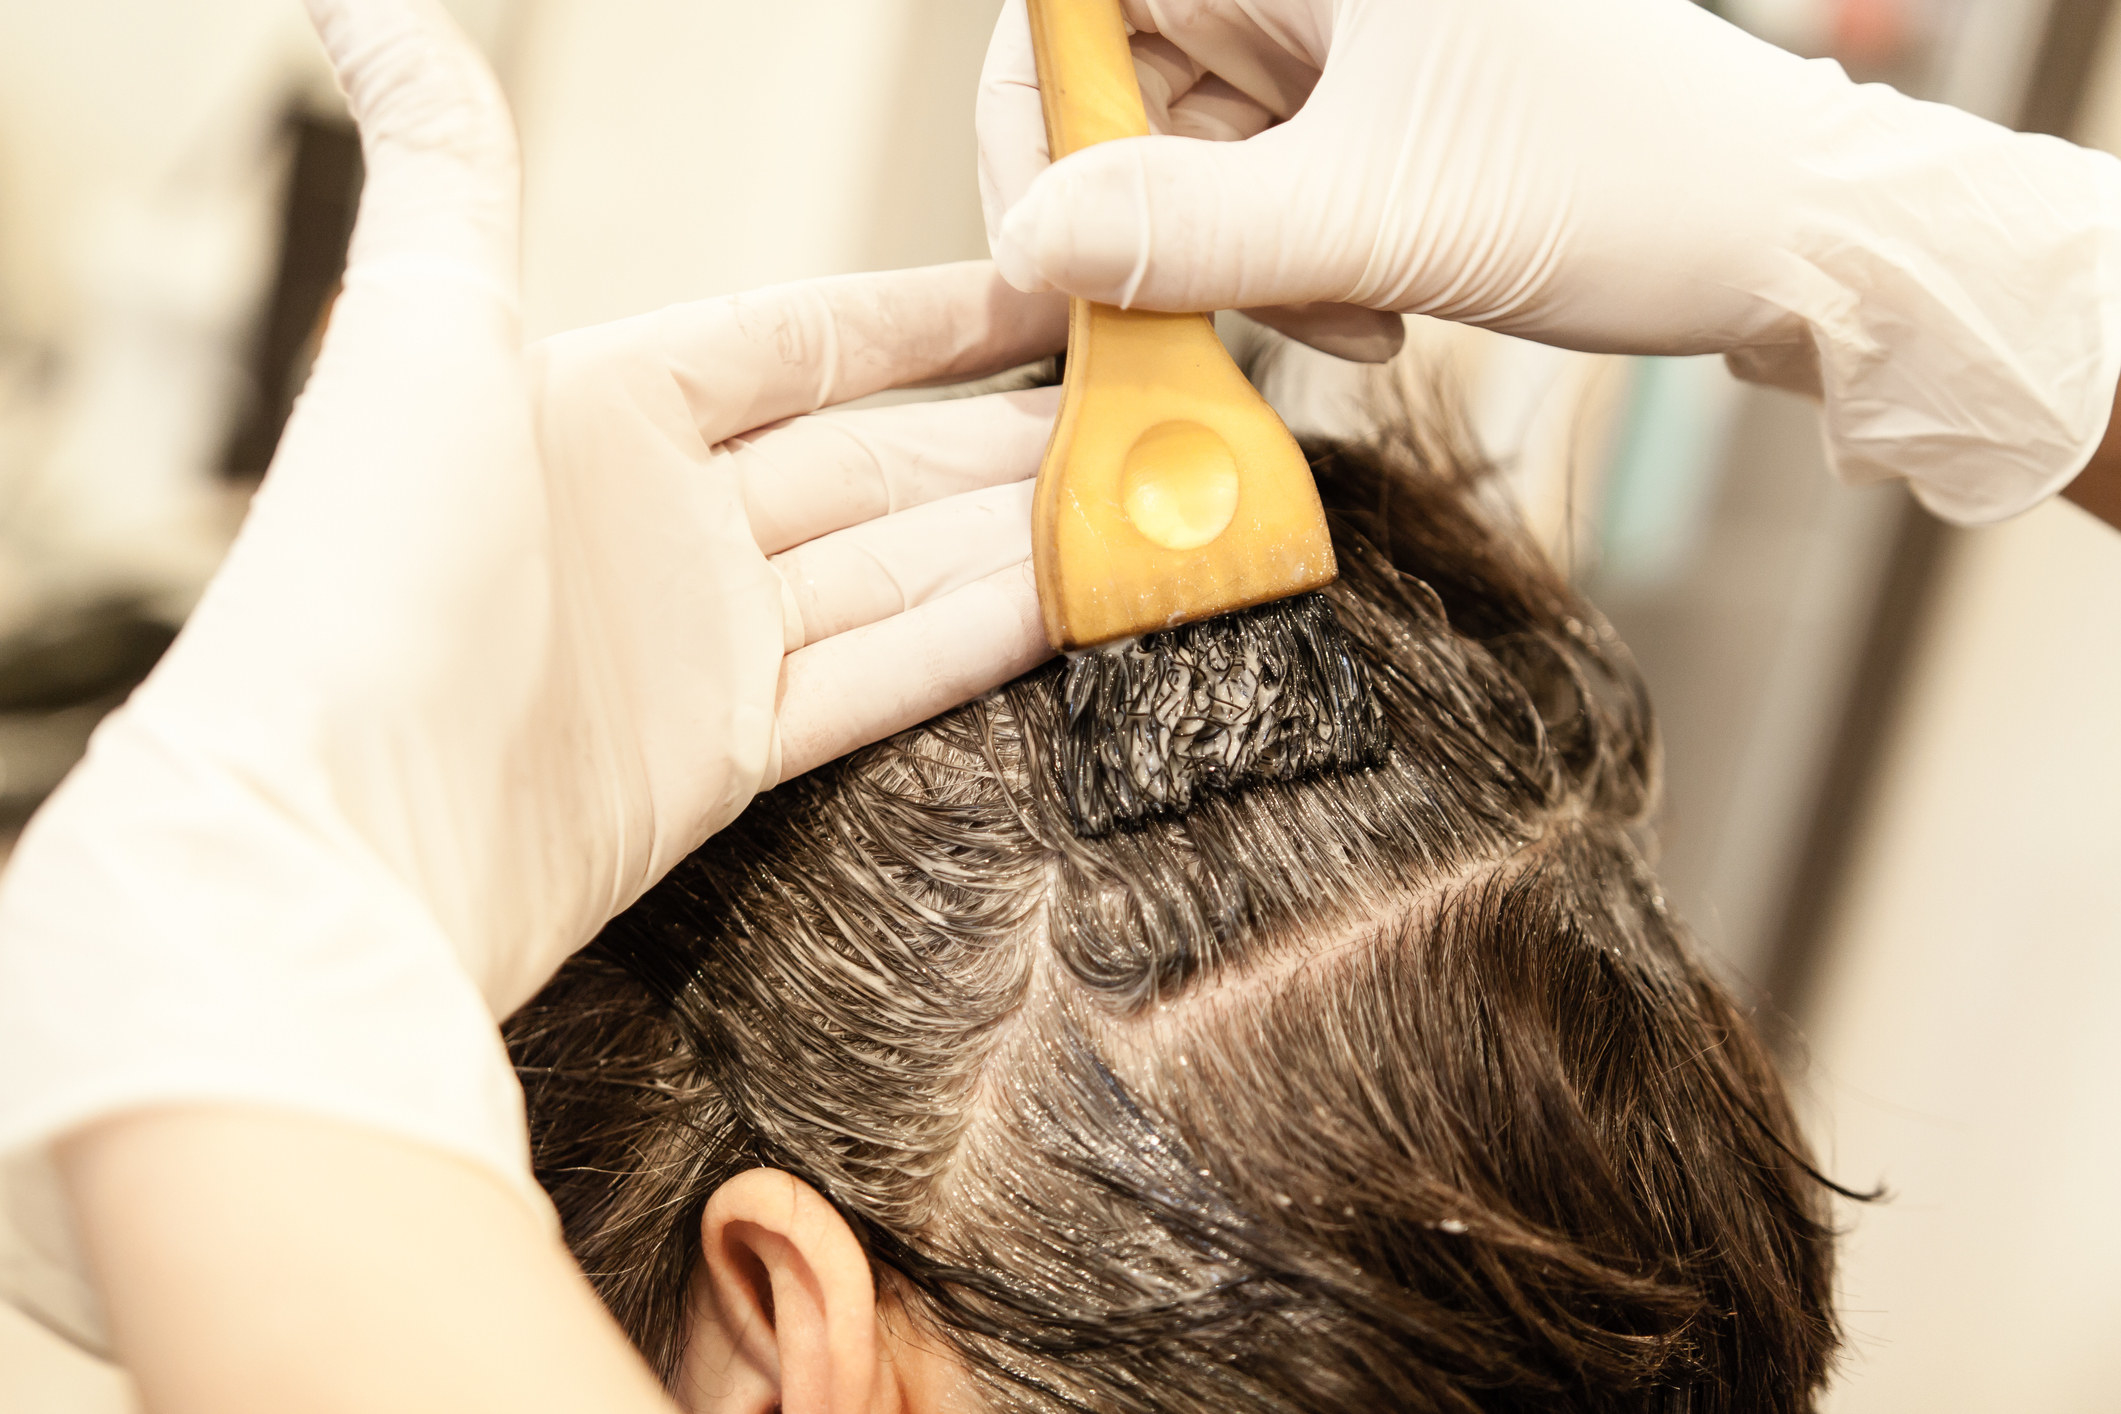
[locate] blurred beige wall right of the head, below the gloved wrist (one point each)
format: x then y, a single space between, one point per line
1967 1050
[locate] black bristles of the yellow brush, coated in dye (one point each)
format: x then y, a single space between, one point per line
1263 694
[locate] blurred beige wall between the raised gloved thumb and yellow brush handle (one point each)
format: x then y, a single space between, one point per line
680 149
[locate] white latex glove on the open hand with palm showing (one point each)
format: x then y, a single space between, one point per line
502 639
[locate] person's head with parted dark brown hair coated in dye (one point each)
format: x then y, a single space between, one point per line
1380 1091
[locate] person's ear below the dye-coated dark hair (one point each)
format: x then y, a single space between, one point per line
782 1307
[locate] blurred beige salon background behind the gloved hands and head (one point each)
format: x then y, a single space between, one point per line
1893 749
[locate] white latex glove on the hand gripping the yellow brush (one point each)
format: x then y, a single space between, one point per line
1605 175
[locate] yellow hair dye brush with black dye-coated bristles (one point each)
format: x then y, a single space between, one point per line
1178 535
